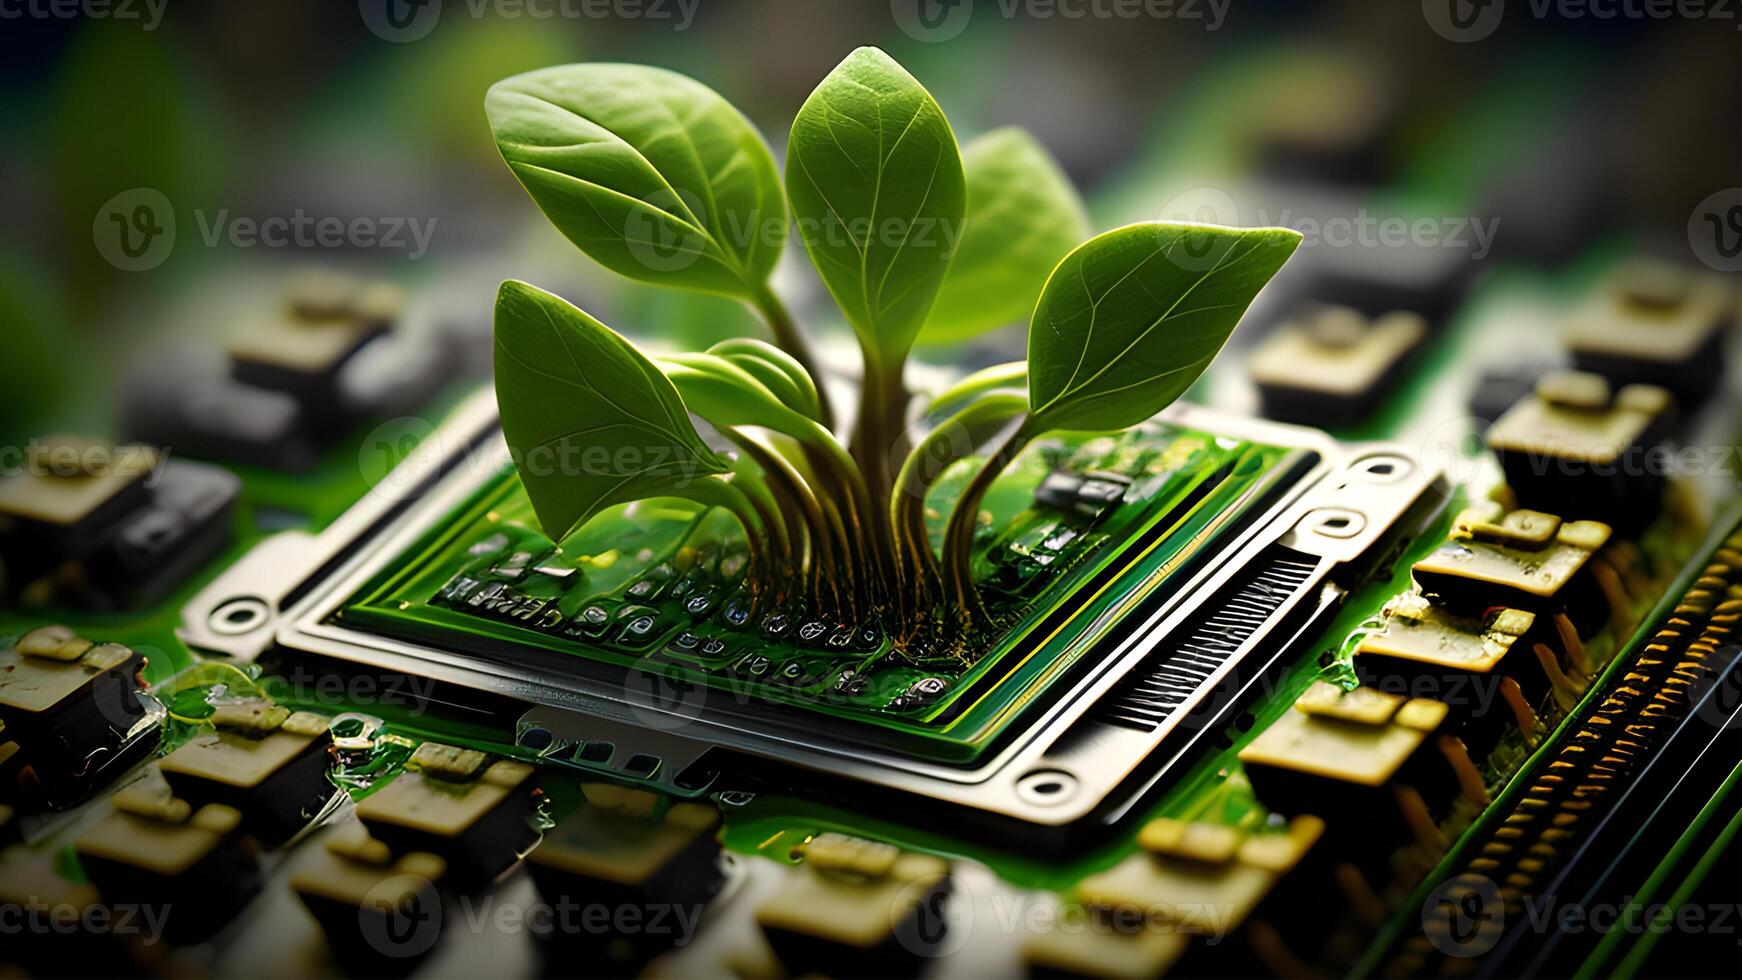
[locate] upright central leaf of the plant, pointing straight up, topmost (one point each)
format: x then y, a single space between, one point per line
879 194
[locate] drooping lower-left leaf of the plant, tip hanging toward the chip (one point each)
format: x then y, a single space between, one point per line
590 420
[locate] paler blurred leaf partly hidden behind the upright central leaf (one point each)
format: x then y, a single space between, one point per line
1023 218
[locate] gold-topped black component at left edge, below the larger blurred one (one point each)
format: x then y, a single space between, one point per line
74 711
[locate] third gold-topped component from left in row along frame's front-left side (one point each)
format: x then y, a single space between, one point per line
461 807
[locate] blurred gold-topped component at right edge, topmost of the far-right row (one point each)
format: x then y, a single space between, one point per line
1656 325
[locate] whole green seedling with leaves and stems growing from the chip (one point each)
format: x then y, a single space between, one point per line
919 243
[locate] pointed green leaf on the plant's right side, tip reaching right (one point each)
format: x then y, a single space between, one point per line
1131 319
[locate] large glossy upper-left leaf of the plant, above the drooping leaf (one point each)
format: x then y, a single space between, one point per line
651 173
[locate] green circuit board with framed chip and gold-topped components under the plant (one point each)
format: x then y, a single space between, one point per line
1361 661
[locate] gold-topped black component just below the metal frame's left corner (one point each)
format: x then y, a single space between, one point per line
262 760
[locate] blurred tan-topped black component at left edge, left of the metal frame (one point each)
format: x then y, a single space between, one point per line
109 528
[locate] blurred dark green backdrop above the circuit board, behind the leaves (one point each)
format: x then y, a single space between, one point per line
168 166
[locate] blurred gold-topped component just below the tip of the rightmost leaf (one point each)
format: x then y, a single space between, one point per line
1332 365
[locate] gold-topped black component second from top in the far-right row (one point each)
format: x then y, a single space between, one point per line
1584 452
